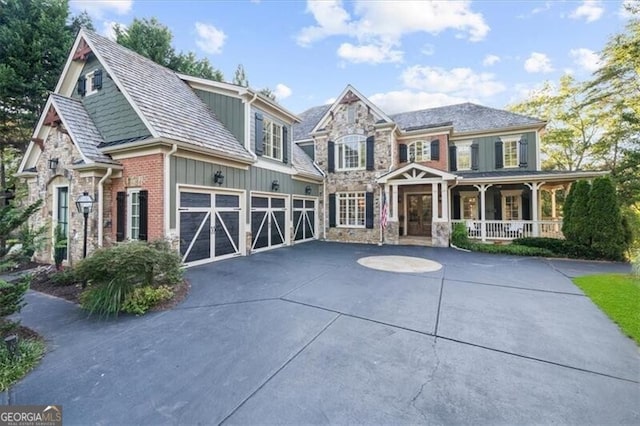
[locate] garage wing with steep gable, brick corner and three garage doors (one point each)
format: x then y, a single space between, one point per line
210 166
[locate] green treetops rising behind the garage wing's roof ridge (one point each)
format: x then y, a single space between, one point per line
152 39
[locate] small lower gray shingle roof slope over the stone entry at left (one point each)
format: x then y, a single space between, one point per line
82 129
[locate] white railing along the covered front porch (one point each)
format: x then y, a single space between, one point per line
511 229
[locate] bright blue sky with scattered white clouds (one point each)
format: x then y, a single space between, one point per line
403 55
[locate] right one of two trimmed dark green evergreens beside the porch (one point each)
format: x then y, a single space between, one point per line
606 230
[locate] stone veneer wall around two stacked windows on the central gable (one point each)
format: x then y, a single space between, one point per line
357 180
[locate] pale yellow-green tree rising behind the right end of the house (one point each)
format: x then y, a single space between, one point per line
573 138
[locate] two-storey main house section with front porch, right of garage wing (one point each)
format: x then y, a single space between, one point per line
408 176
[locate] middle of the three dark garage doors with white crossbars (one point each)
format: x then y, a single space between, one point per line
268 222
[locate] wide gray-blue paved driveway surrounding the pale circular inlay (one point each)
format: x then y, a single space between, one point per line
305 334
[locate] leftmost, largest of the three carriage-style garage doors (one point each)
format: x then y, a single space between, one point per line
210 225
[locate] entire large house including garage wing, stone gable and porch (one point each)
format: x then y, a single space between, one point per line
222 171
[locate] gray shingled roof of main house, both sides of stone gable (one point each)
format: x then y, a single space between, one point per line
466 117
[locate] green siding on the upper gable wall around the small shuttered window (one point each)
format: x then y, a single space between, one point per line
112 114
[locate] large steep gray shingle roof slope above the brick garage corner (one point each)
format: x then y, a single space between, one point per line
169 105
